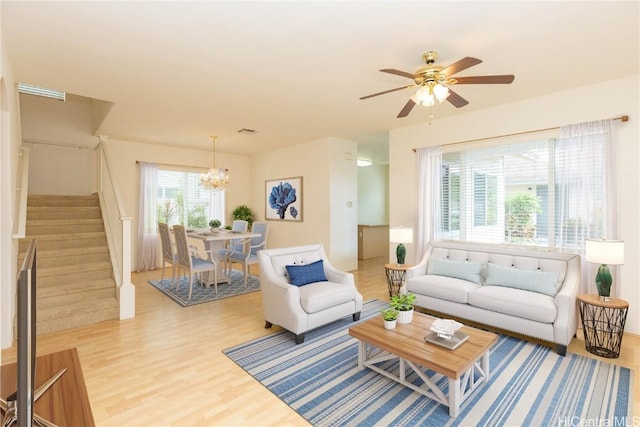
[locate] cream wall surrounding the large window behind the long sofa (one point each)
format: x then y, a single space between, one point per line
594 102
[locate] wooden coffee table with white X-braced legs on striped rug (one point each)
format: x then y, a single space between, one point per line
466 366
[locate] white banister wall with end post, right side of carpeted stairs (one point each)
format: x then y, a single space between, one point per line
118 230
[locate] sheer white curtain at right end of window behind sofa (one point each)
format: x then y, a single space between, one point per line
586 185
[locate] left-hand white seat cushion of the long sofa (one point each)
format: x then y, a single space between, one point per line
443 287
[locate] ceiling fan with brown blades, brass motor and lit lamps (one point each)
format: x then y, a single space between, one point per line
433 82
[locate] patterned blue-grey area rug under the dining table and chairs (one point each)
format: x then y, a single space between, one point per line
200 294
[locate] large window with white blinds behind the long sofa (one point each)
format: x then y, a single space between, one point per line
507 193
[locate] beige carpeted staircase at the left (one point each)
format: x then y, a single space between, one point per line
75 277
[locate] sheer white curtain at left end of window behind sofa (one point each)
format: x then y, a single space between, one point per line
429 176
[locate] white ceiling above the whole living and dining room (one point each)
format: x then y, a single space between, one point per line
178 72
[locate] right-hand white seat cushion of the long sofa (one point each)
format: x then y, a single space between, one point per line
515 302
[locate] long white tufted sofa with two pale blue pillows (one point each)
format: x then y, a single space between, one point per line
529 292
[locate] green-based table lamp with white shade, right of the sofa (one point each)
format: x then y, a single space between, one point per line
604 252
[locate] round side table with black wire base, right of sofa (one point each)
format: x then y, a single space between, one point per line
603 324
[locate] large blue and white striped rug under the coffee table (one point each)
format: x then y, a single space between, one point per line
529 384
